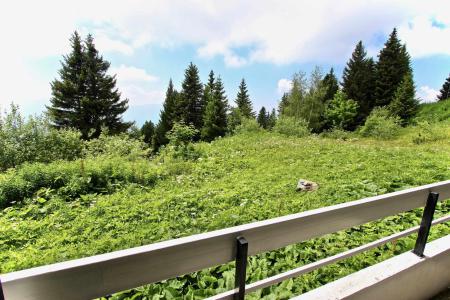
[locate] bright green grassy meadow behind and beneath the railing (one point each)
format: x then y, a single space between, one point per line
237 180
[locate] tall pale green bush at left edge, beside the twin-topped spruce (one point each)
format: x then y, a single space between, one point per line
34 140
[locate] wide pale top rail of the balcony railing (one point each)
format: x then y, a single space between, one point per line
99 275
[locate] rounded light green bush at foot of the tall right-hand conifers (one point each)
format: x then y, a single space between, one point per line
380 124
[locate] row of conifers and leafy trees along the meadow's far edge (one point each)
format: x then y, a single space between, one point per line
86 98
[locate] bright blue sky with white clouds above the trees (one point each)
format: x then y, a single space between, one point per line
264 41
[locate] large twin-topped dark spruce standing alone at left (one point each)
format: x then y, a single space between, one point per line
86 97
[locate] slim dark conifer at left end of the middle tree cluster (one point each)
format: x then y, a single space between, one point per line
167 117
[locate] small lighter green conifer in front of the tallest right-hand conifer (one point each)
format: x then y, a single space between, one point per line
405 105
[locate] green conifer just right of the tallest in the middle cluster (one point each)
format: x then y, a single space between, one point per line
215 120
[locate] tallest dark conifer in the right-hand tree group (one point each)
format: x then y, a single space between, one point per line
392 66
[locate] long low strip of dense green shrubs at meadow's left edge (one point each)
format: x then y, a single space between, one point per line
72 179
